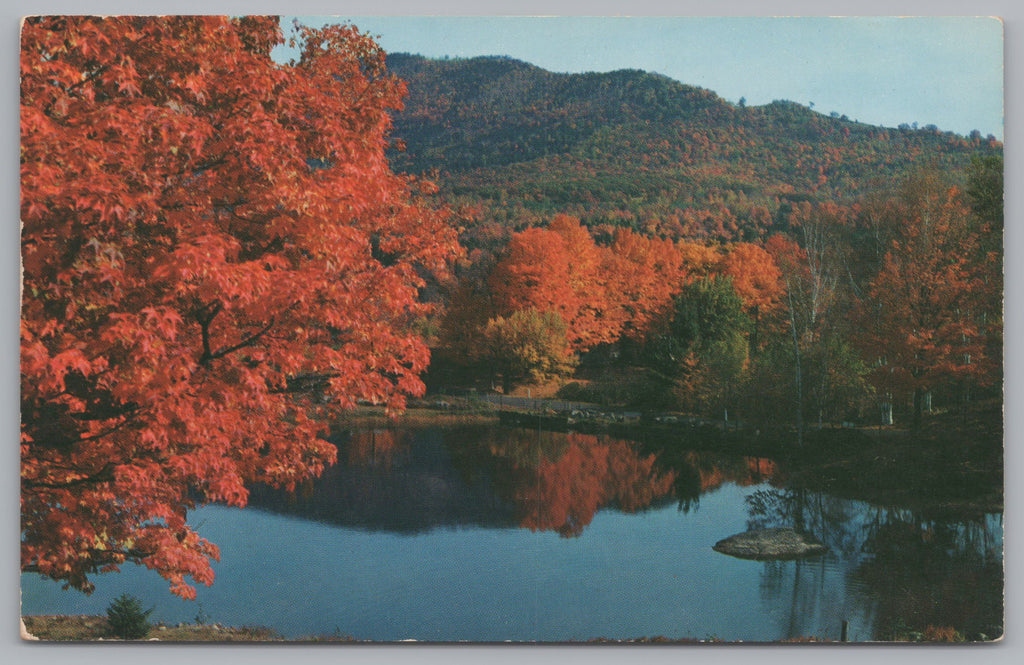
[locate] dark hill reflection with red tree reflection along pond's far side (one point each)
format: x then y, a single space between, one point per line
410 482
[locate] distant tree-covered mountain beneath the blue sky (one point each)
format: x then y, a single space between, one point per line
643 150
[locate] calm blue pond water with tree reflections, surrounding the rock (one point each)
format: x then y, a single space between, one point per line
509 535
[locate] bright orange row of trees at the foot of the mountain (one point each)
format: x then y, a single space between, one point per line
621 289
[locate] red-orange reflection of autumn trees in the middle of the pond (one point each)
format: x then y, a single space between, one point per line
564 493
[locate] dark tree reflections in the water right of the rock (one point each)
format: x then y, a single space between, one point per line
912 571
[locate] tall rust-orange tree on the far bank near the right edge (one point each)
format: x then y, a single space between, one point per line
925 313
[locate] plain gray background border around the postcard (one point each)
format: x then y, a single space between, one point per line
1008 651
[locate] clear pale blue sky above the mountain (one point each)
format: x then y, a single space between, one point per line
942 71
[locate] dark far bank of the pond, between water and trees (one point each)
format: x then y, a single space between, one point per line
946 469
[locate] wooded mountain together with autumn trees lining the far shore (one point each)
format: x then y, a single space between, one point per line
771 263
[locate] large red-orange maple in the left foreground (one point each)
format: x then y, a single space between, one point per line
216 256
